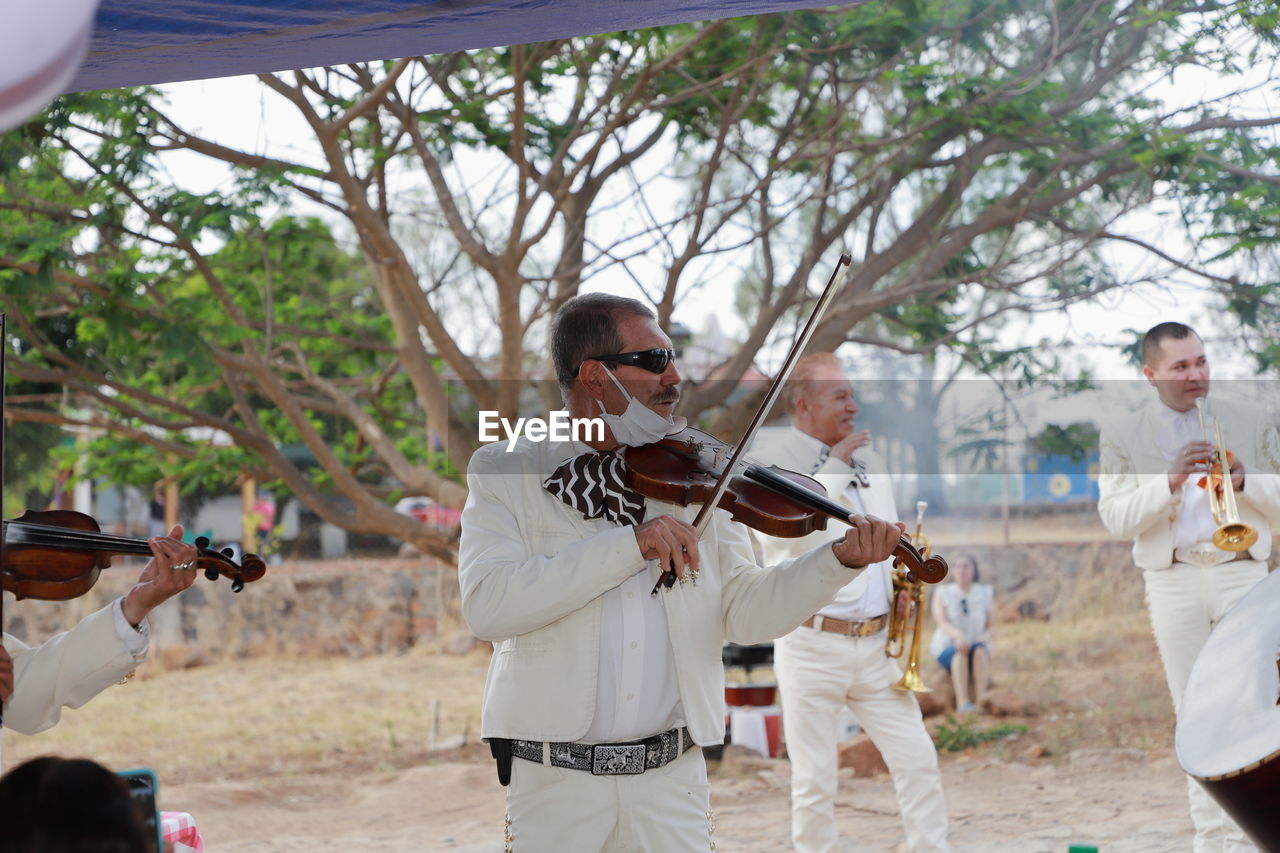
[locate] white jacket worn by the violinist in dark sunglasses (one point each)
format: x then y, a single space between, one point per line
533 572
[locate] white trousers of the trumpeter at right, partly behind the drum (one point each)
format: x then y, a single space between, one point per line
1186 603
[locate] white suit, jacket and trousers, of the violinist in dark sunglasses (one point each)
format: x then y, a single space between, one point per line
538 580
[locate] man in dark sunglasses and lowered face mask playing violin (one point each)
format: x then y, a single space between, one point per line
598 692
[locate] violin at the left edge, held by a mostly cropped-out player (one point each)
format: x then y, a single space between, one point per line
58 555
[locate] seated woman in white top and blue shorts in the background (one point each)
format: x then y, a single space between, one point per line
963 612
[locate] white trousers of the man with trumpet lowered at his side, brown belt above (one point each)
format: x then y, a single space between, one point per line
819 674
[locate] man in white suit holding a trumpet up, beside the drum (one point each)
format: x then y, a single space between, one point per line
1153 463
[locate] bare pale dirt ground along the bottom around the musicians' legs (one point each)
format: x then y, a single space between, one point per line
1116 800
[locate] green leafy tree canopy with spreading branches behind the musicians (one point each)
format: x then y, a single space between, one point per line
975 156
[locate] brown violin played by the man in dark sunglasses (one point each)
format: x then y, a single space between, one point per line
685 467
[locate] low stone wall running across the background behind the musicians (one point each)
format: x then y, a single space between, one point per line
358 608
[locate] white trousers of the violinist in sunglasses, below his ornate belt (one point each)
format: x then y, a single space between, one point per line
557 810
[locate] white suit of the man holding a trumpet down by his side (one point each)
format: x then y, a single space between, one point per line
821 673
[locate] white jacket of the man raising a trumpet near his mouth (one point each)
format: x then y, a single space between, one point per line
1133 482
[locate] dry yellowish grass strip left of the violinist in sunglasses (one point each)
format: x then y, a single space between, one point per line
275 717
